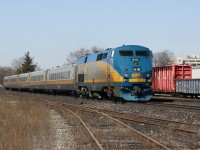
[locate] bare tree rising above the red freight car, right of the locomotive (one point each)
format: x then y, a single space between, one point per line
163 58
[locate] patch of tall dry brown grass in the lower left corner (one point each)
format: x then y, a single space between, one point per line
23 125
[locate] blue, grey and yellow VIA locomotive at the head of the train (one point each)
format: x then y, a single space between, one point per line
123 72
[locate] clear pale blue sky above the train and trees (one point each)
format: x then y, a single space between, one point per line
50 29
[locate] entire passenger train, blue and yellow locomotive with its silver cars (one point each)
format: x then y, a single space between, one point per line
121 73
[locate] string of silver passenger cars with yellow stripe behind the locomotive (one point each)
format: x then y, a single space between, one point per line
55 79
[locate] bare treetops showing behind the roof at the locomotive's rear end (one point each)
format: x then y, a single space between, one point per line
73 56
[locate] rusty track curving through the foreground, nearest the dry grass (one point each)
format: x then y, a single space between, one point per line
105 129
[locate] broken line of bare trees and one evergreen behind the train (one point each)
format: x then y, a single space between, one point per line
26 63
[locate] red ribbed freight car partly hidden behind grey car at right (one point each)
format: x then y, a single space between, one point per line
163 78
